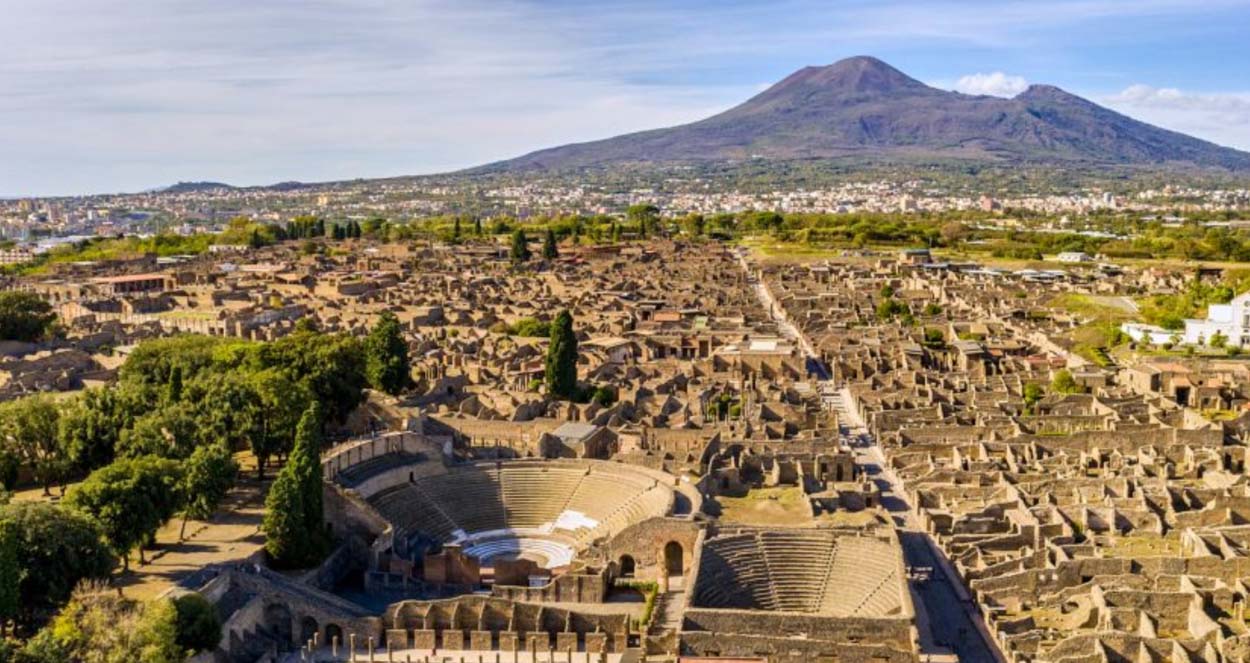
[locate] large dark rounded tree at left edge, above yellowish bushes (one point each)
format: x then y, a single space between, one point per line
57 549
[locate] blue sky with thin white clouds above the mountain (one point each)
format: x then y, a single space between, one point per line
122 96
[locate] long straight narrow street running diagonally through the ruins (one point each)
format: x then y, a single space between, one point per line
947 619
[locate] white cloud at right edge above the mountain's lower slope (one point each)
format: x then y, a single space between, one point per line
1222 118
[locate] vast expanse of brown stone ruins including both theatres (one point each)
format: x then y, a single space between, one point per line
873 458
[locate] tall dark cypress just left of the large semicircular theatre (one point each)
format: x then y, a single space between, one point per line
294 520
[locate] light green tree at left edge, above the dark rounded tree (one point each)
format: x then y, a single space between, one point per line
28 431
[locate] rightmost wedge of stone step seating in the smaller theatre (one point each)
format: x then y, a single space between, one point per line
864 580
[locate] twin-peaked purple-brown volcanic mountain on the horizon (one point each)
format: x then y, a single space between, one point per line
863 107
